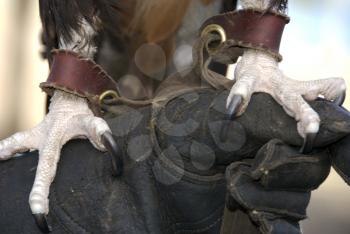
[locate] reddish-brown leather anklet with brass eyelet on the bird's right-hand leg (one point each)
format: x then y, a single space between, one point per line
251 28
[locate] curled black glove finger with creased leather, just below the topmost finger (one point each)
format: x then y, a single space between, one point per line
281 167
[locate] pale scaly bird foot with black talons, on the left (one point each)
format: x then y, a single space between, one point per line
69 118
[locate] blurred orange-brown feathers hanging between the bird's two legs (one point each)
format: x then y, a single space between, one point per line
151 21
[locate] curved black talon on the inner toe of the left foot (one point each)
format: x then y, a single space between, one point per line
112 147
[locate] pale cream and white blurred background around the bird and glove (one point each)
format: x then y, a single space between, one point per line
316 44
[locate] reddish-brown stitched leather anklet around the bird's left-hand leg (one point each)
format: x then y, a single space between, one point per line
77 75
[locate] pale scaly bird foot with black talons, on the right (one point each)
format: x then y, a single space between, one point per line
258 72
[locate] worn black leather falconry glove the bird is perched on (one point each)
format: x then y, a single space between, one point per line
165 192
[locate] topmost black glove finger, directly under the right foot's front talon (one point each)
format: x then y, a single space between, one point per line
264 119
